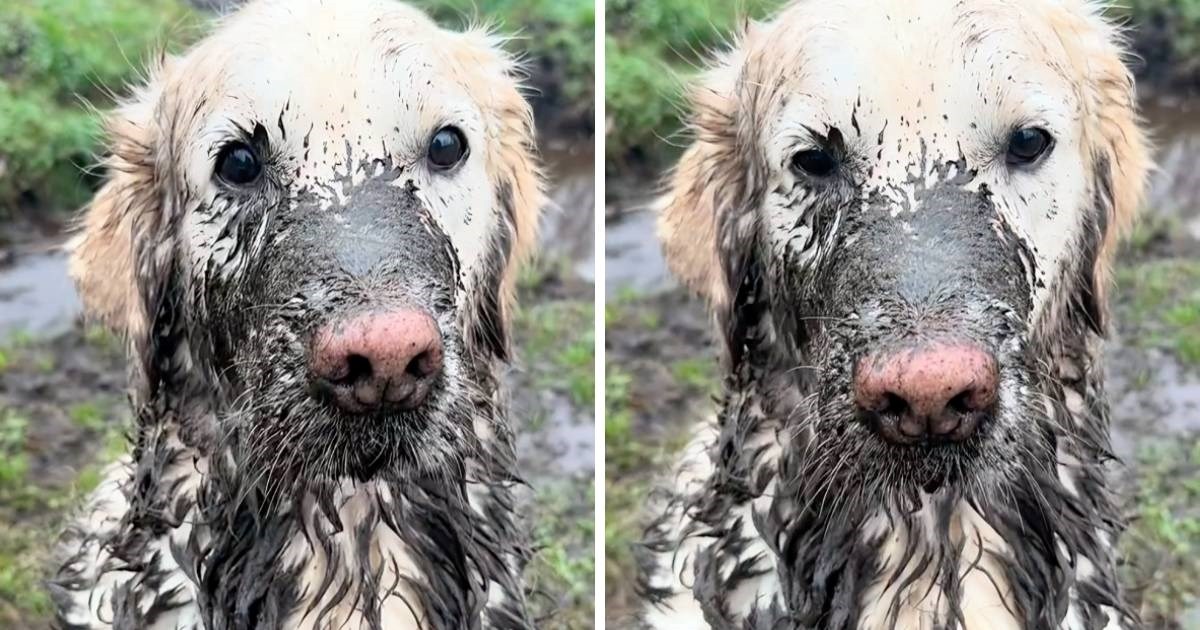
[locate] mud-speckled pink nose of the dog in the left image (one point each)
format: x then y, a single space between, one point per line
379 361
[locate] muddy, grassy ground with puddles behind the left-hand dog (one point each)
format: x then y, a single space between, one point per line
64 413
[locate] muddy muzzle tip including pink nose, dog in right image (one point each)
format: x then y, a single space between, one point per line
925 417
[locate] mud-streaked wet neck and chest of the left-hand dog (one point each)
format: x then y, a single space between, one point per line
425 550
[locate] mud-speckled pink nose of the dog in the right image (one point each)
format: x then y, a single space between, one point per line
939 392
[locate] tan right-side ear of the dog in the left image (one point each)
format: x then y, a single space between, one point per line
495 77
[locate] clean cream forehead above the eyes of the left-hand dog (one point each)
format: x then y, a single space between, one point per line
327 55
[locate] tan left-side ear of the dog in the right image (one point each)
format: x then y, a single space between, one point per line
705 185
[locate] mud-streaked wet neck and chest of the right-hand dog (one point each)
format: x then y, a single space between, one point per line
1042 550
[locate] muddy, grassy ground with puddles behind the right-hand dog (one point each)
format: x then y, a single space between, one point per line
662 379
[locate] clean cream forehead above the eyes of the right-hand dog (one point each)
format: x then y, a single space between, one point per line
934 75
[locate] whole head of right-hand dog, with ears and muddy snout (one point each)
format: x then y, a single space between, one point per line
907 208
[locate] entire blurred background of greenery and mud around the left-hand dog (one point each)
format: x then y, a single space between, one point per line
63 411
